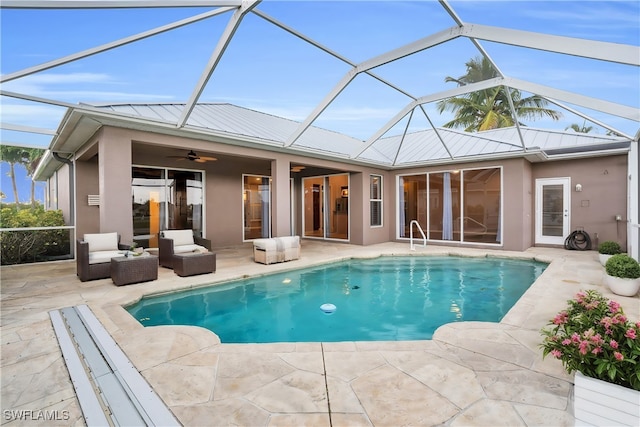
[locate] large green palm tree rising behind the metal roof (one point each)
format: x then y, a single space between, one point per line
489 108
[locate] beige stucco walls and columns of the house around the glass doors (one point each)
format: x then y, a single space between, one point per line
223 221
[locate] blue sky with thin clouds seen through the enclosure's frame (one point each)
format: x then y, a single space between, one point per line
268 69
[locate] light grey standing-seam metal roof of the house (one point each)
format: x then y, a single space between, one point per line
423 147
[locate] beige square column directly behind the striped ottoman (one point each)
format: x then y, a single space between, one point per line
280 198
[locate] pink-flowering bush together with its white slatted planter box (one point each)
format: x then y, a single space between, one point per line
594 338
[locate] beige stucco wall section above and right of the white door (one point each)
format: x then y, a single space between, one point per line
603 196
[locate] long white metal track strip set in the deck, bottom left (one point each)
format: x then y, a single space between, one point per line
109 388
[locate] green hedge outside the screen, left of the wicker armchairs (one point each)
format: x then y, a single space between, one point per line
19 247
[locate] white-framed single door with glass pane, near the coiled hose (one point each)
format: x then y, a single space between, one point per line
553 213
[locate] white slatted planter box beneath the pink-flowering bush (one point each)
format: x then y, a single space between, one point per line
599 403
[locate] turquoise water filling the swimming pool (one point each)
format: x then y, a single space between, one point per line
382 299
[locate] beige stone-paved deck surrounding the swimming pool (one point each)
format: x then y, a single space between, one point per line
470 374
